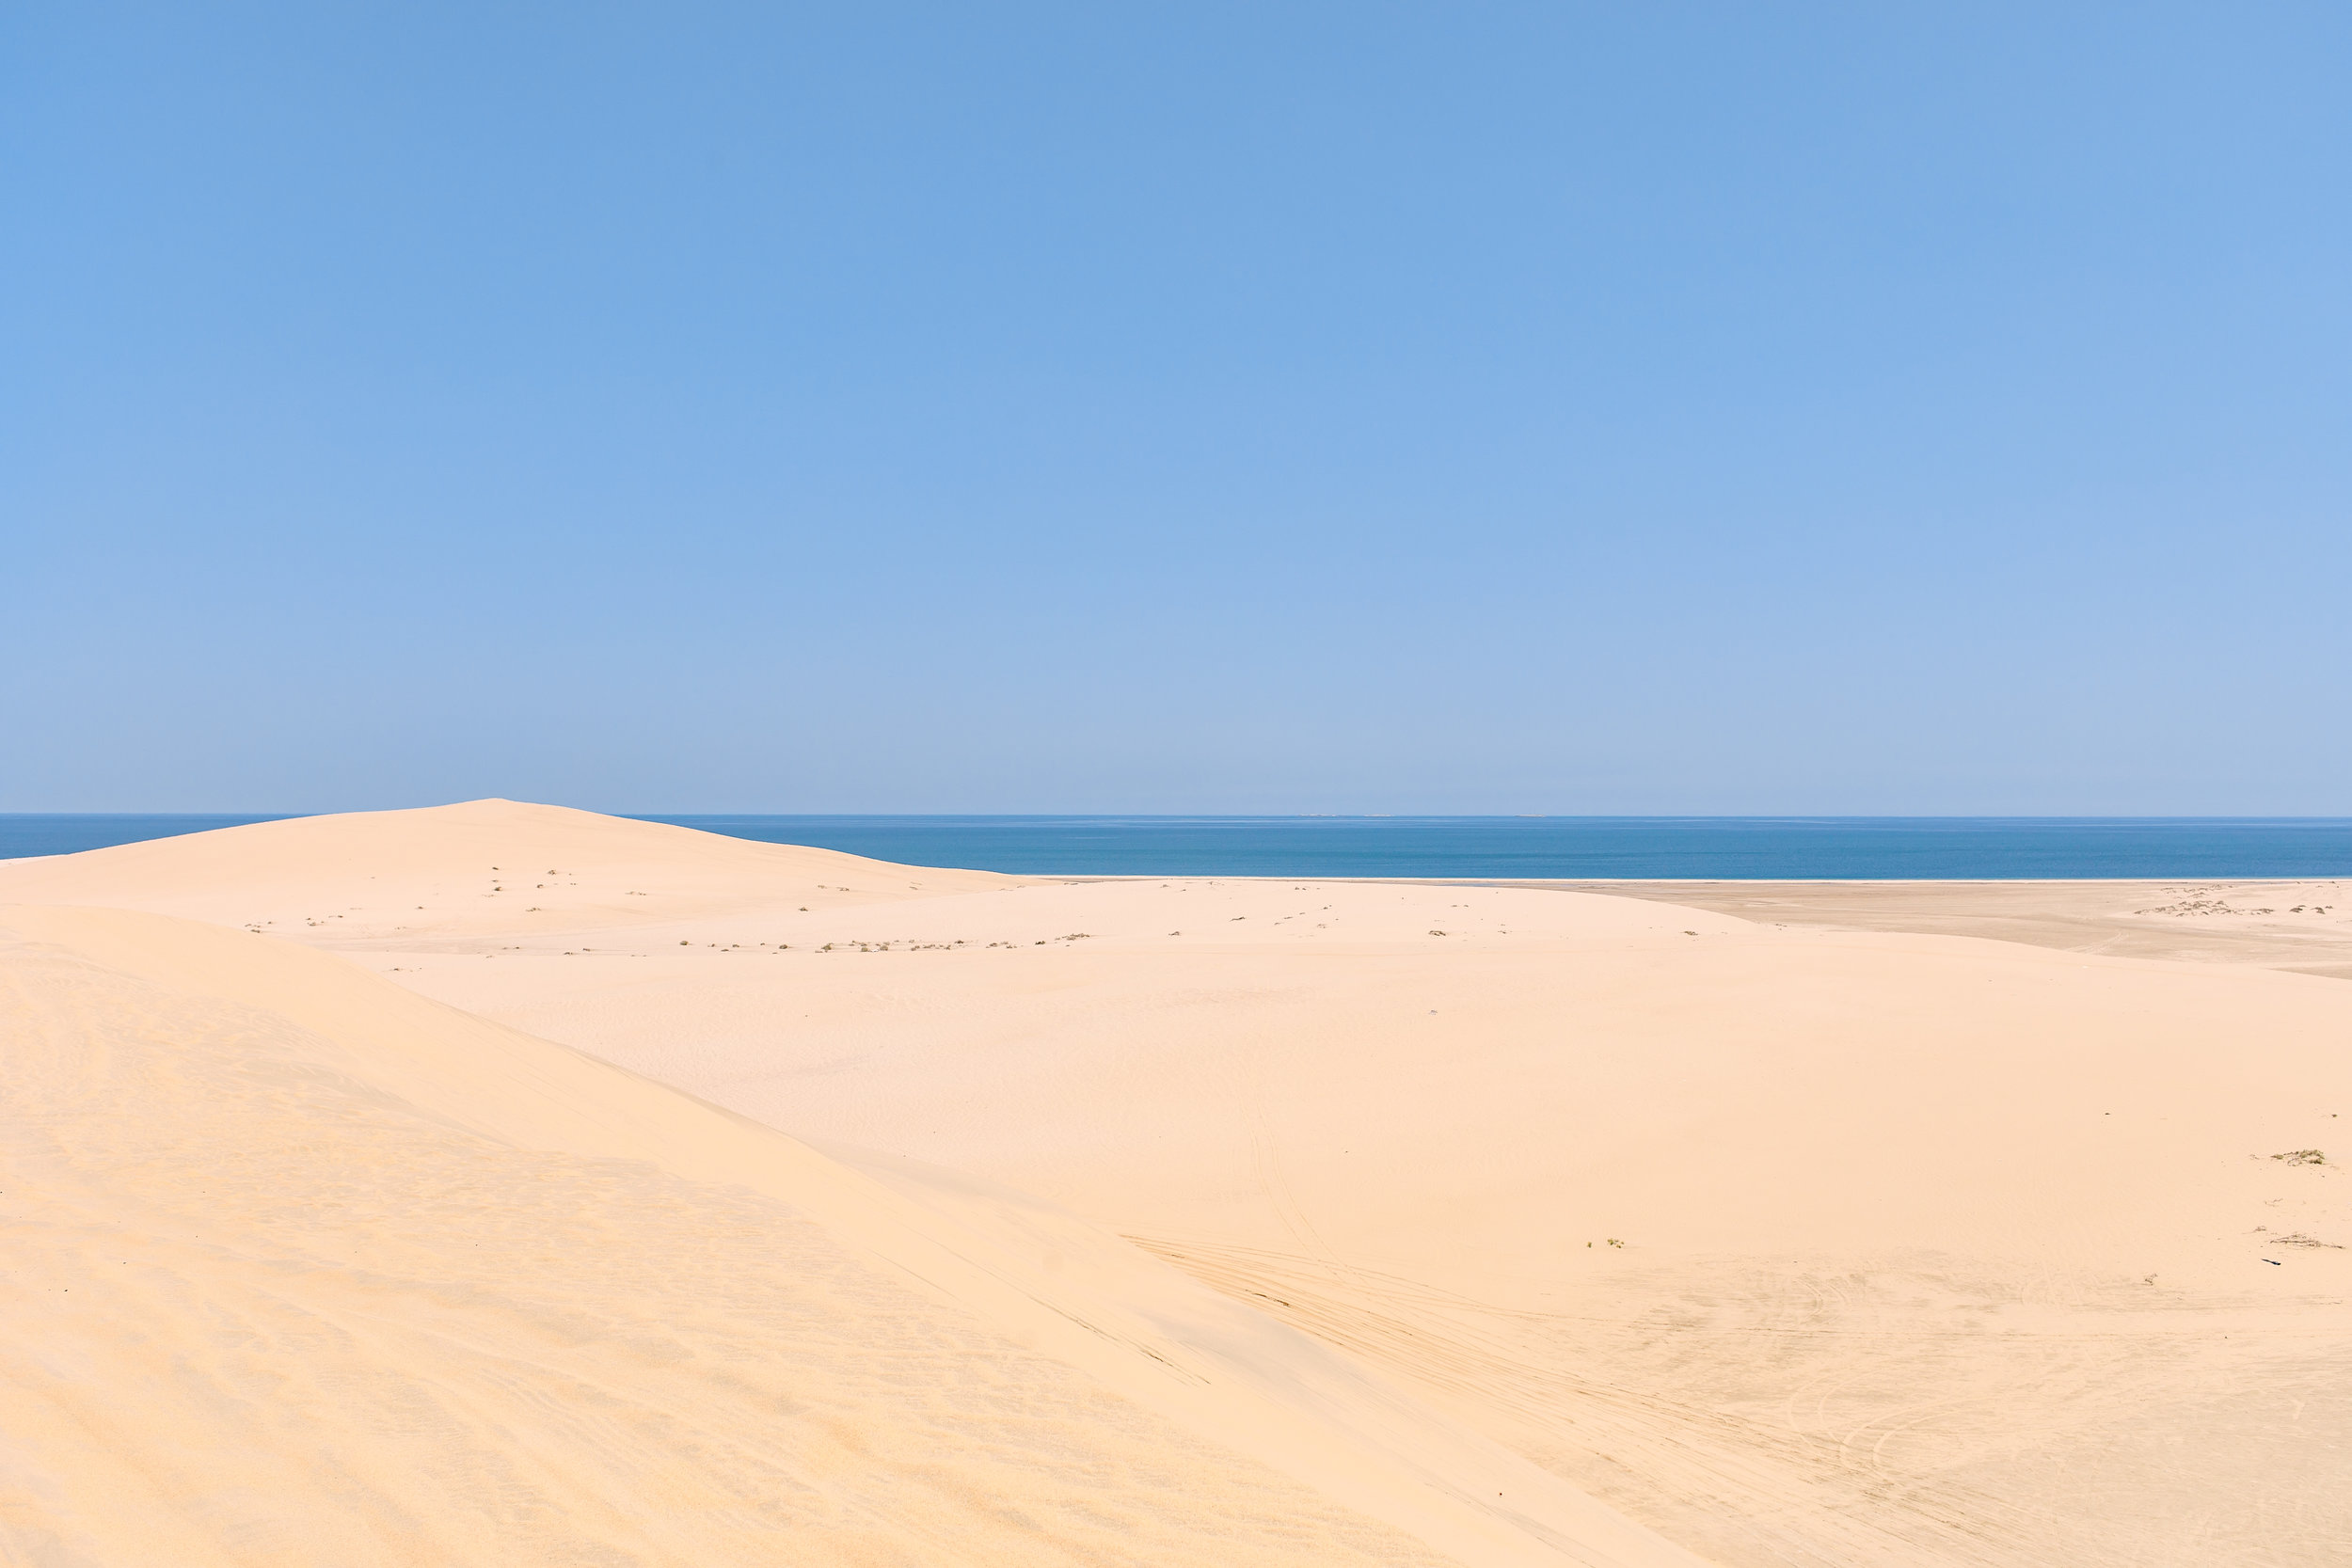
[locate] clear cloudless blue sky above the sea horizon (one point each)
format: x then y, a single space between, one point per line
1177 408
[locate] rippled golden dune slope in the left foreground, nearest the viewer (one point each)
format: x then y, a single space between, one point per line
309 1271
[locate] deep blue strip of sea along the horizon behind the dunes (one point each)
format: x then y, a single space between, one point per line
1542 847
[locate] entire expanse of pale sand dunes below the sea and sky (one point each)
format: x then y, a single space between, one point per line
512 1184
